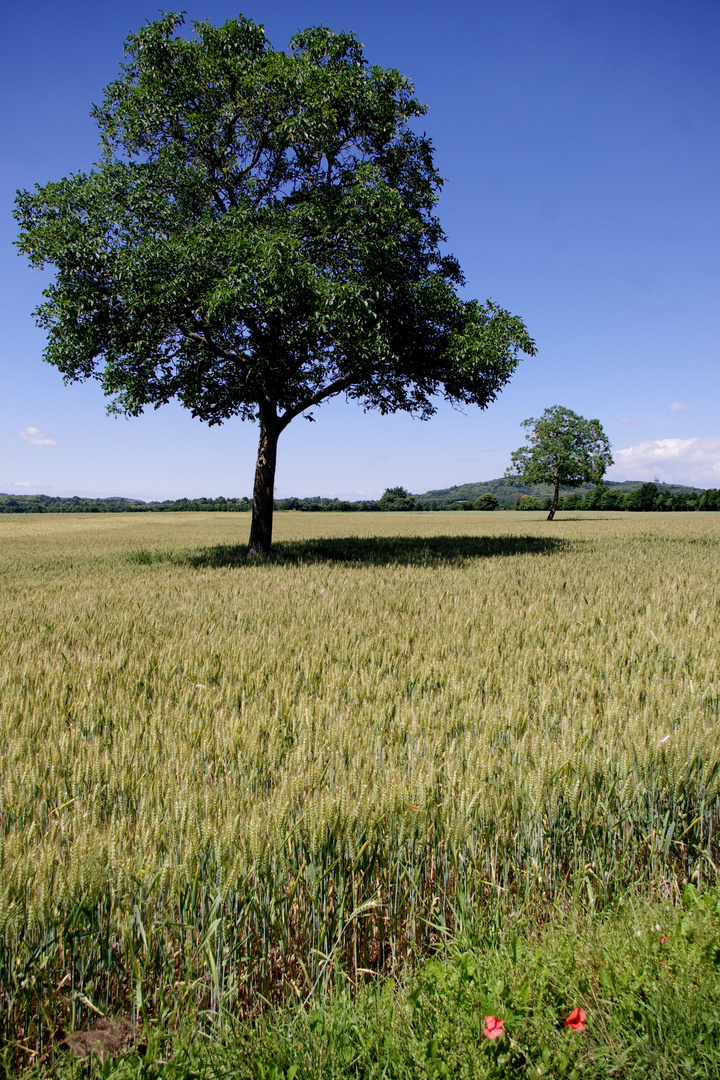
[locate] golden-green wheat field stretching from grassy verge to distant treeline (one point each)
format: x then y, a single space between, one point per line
225 782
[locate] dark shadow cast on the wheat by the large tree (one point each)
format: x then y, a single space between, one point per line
377 551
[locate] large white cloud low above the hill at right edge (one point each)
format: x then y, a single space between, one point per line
695 462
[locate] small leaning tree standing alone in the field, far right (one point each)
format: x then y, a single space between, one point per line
564 450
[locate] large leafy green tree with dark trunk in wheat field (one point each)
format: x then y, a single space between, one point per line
259 236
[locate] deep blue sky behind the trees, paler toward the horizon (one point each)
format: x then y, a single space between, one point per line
580 146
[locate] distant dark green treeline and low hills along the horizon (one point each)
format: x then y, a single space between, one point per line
645 497
